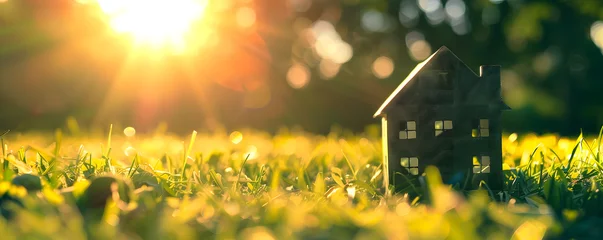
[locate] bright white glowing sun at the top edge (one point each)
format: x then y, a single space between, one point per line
155 23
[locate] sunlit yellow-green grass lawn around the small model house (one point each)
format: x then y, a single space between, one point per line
292 185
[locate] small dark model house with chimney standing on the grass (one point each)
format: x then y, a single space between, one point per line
444 115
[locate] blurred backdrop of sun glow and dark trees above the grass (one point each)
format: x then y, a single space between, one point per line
207 64
